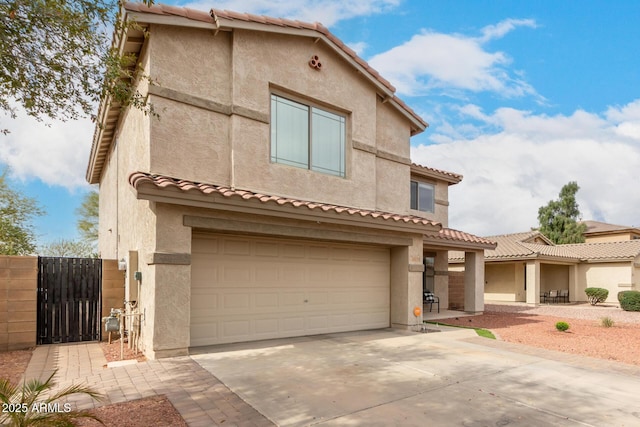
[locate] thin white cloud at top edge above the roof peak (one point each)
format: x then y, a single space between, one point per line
328 12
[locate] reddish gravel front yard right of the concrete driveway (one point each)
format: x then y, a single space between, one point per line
584 337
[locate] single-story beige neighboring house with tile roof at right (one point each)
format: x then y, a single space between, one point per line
525 265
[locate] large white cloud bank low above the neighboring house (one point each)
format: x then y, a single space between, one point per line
510 173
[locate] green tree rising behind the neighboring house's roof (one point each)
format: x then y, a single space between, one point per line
558 220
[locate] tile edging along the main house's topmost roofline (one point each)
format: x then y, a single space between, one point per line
214 16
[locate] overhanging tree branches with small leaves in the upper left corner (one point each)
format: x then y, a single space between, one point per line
57 60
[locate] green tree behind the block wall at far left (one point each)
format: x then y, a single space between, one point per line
16 213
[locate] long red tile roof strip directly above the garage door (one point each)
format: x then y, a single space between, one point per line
139 179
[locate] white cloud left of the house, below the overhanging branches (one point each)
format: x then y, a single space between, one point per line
57 155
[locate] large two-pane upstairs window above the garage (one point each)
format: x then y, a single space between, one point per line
306 155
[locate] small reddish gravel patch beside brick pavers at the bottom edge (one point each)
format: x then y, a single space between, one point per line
154 411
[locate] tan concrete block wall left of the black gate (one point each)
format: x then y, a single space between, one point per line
18 302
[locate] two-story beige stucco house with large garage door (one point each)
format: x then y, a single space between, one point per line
274 196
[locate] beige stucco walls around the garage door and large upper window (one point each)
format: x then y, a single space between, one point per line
239 71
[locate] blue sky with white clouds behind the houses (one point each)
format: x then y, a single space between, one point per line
521 98
